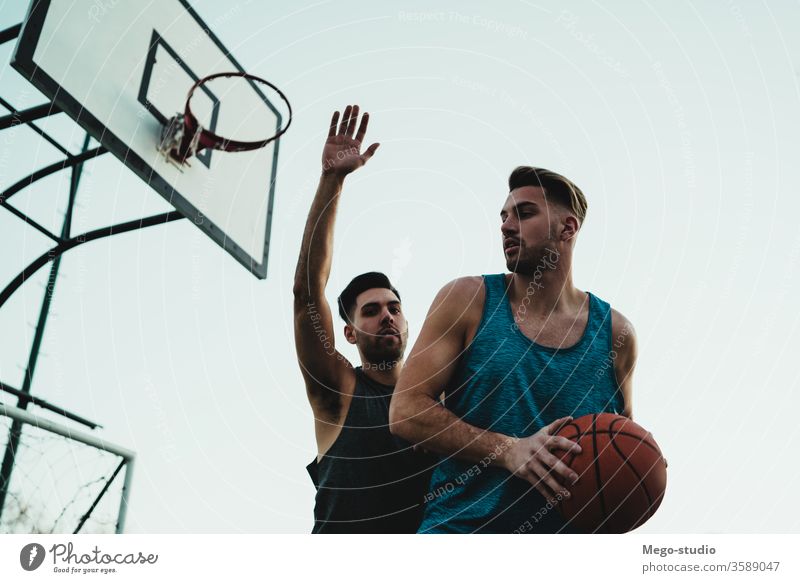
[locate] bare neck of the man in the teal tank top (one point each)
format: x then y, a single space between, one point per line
548 289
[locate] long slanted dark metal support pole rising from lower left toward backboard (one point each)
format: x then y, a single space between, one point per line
15 432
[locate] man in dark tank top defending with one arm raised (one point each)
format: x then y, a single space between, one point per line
367 480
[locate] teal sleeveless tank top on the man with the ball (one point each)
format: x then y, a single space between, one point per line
508 384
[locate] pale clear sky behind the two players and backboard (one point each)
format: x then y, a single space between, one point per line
679 121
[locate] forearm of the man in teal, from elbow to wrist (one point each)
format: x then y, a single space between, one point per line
420 419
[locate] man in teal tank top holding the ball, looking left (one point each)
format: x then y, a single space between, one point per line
516 355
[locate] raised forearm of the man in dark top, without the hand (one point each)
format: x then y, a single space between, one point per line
316 250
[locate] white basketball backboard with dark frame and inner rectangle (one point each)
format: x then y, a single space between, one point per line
121 69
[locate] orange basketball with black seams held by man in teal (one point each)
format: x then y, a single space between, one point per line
622 474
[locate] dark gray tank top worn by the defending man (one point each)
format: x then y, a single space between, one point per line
369 481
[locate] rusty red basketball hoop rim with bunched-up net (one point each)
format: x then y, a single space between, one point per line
183 137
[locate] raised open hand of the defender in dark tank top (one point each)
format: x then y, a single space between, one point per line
342 152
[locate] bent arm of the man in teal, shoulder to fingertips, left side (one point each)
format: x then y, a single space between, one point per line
416 415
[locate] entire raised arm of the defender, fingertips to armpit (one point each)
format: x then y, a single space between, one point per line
324 369
